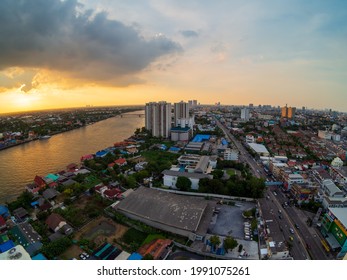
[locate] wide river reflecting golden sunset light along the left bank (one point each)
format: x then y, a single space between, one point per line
20 164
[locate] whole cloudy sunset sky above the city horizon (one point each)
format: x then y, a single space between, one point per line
58 54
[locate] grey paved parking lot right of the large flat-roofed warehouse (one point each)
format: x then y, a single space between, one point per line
229 220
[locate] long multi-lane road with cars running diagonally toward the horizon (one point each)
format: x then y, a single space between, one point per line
306 241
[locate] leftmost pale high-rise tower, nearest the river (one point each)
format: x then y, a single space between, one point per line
158 118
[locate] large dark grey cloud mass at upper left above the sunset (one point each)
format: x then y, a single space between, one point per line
60 35
